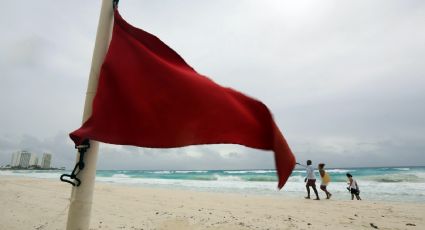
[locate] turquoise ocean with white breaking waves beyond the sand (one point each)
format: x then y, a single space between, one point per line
402 184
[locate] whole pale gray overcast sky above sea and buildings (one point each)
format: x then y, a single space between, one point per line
345 80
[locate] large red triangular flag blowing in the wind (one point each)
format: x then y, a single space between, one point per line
149 96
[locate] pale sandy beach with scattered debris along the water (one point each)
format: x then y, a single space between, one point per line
28 203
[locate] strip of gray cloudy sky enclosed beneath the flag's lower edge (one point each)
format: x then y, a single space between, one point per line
194 157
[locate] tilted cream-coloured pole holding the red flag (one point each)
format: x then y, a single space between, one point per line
82 196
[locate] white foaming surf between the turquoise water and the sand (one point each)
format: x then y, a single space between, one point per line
393 192
